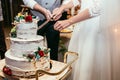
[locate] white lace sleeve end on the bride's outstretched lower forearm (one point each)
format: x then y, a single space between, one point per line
95 10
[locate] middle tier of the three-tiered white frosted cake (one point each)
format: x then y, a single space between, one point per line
19 47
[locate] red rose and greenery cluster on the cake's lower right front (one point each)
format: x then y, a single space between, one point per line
41 52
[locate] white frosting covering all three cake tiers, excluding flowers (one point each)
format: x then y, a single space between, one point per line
27 42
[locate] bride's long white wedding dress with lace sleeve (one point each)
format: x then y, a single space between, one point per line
97 41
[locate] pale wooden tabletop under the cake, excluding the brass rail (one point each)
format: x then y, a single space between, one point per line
56 66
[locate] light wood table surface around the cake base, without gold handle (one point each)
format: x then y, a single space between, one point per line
57 66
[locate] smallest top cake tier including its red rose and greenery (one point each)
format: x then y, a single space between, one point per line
25 26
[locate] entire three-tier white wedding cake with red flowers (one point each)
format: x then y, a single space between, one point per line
27 53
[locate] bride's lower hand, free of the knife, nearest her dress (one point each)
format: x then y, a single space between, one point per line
60 25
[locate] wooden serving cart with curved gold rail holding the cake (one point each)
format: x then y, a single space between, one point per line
59 70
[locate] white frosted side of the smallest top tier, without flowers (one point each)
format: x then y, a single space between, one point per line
26 30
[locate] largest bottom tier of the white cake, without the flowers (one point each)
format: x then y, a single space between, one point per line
22 67
